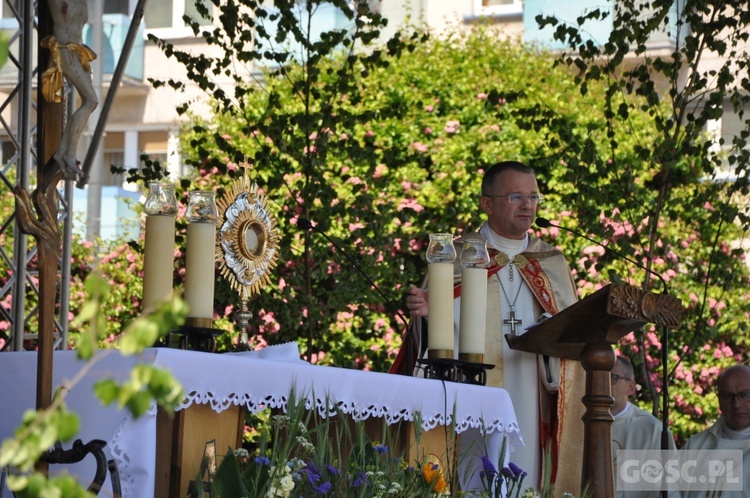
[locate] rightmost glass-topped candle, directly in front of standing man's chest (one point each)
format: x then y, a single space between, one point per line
474 259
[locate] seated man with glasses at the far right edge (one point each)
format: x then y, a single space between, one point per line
731 431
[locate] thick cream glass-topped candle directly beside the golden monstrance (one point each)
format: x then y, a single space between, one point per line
200 258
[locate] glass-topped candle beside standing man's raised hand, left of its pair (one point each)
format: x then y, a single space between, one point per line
440 257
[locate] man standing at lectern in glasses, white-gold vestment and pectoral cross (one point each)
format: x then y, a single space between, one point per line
527 279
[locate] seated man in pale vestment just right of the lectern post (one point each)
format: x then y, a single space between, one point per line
633 428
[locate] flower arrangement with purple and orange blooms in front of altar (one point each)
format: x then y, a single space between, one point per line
299 457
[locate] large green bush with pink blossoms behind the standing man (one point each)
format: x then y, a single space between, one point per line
380 146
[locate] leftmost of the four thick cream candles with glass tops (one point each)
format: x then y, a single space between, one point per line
158 258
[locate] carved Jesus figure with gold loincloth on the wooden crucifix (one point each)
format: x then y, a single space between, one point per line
70 58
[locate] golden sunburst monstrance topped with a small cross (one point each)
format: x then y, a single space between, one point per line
247 245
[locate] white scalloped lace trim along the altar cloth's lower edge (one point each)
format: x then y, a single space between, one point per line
326 408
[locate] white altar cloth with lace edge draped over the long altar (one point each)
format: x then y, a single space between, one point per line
250 380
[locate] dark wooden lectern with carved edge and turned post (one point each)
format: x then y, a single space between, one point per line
585 332
